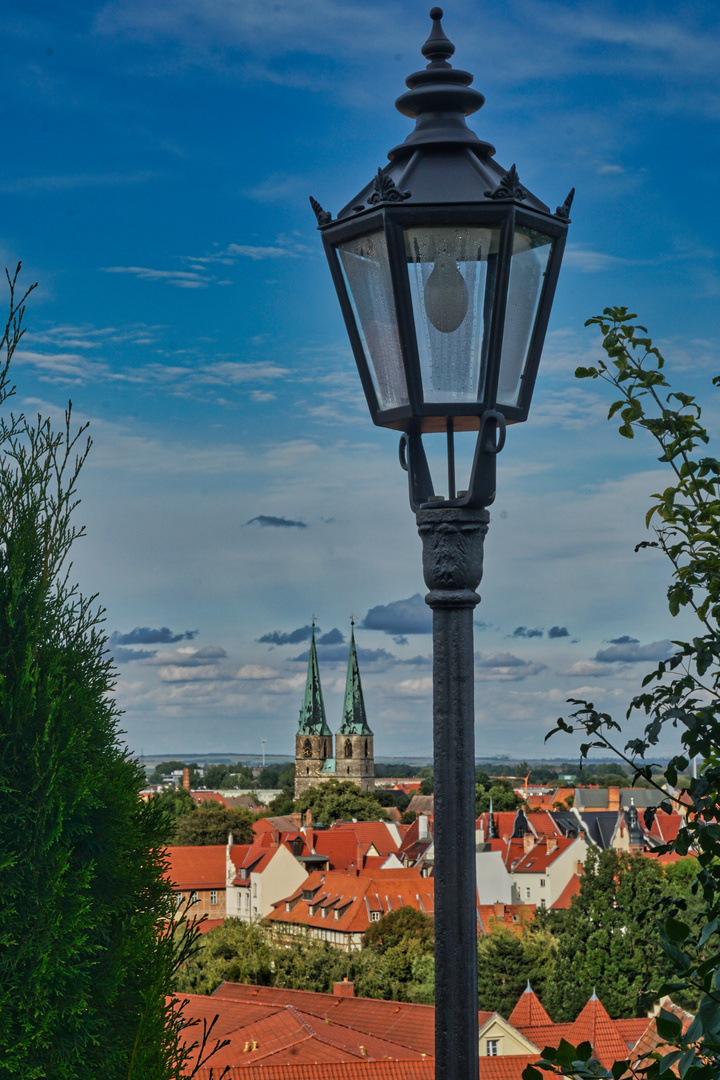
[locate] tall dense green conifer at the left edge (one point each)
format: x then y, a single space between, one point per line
85 962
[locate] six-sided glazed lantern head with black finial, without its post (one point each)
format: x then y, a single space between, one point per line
445 267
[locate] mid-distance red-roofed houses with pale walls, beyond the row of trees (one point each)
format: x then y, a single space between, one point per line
300 880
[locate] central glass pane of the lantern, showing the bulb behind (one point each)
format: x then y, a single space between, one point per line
453 276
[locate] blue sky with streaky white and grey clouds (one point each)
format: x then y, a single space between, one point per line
158 161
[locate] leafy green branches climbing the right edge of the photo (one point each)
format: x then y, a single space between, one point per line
683 692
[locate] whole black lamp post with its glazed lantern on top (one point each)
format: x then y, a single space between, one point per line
446 267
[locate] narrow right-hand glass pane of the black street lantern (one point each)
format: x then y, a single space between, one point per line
531 254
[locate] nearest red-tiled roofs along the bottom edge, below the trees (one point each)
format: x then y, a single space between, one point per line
274 1034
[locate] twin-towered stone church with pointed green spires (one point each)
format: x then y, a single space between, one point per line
314 742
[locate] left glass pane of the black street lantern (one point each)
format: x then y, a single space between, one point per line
366 271
